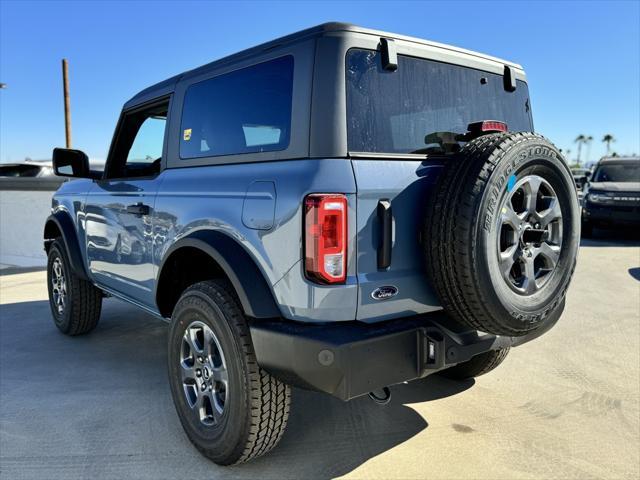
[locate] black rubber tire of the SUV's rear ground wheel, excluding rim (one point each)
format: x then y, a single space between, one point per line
257 405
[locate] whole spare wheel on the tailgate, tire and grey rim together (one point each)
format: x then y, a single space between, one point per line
502 233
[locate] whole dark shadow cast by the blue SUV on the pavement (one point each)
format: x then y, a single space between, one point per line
106 394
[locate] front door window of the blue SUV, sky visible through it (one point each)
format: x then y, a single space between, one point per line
138 149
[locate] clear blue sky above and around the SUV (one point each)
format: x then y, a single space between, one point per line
582 58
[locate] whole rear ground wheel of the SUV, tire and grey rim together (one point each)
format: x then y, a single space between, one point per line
242 411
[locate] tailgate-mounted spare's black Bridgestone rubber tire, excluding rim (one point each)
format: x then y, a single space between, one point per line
460 233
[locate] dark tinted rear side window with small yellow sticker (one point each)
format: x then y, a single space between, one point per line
245 111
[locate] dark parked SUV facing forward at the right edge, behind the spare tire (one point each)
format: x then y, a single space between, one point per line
612 195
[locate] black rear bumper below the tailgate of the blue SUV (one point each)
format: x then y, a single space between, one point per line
351 359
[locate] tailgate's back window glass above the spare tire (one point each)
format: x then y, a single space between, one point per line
424 105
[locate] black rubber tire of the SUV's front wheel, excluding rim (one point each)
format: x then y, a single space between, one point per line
81 312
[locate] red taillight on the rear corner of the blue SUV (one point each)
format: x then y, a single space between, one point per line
325 246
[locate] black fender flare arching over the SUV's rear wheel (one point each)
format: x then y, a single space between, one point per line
247 279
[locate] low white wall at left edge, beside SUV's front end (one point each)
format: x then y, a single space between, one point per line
22 217
